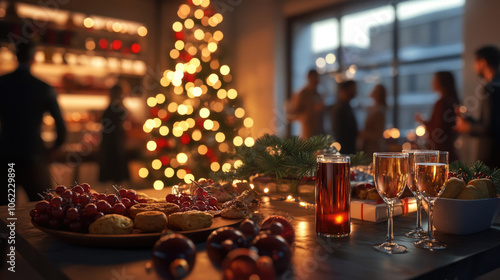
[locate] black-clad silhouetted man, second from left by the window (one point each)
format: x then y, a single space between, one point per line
344 126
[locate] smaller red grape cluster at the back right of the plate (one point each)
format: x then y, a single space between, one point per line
200 200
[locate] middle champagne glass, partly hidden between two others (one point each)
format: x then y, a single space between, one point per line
418 232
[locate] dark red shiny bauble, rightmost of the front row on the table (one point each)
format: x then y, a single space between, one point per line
275 247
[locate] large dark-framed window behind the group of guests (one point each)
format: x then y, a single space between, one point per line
399 46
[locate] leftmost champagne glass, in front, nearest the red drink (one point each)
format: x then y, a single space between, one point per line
391 172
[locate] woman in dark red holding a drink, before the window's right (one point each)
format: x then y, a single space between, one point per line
440 131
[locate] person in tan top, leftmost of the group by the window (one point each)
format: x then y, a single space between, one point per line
307 107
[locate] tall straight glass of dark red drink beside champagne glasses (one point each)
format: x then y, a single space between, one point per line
333 196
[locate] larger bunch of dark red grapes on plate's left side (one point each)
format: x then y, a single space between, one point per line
75 208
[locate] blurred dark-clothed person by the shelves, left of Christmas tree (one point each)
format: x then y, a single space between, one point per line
113 160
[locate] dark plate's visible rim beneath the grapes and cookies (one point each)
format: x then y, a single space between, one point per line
133 240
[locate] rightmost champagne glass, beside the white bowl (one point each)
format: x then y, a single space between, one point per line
431 173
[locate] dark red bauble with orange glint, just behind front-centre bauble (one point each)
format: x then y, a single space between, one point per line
221 241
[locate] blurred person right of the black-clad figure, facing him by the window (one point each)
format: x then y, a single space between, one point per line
372 136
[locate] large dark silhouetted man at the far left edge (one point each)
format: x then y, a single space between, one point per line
23 101
